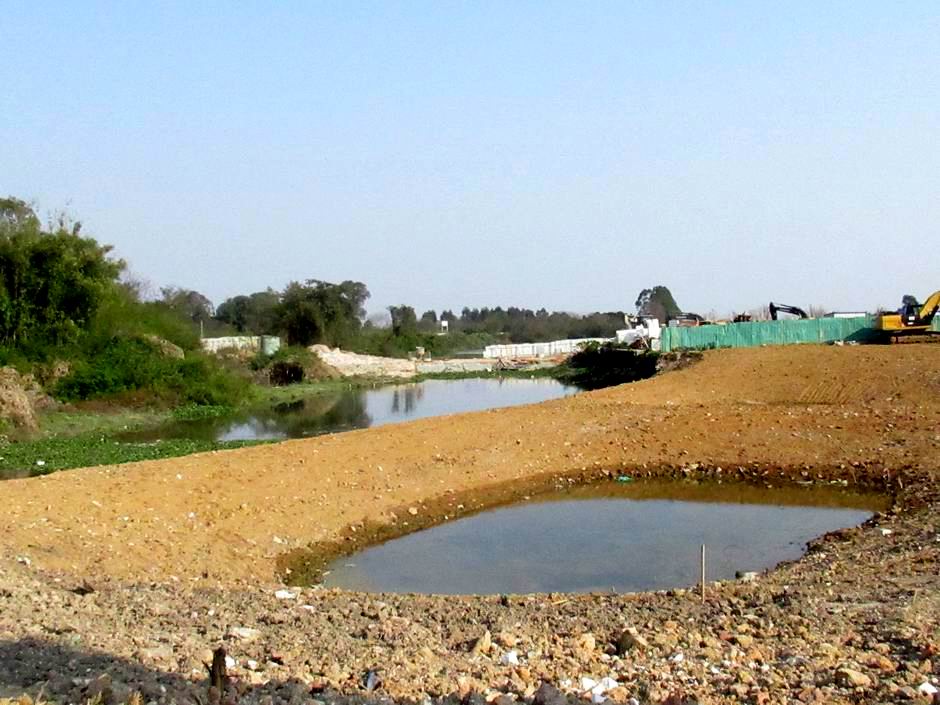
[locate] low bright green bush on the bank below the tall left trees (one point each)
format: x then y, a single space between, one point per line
125 365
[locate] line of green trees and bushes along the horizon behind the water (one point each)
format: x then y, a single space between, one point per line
63 296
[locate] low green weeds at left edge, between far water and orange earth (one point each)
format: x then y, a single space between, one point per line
46 455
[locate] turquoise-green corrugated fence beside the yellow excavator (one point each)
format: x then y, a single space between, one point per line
745 335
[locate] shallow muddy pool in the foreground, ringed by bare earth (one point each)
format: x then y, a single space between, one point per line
620 537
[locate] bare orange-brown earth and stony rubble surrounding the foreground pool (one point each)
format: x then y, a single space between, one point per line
122 580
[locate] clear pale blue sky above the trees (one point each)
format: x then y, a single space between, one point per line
557 154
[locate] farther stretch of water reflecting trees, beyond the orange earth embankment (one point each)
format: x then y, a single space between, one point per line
332 412
